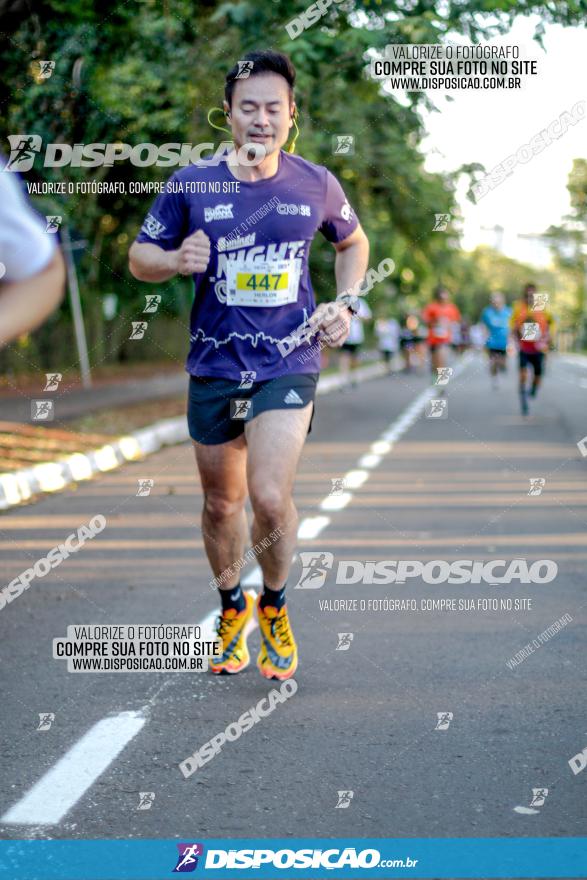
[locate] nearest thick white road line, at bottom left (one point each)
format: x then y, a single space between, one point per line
63 785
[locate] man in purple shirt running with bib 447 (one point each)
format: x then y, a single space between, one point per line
248 252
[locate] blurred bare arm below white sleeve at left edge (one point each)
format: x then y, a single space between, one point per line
25 304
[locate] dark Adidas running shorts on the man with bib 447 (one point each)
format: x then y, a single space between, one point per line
218 409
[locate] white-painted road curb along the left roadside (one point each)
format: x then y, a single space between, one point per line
20 486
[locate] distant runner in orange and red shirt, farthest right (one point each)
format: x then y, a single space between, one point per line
532 326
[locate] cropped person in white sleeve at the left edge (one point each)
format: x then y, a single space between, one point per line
32 271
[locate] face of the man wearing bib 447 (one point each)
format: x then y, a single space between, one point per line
261 111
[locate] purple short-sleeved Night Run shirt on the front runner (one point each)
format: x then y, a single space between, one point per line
270 223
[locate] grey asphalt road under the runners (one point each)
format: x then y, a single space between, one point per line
363 719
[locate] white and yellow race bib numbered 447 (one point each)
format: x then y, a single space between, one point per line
262 283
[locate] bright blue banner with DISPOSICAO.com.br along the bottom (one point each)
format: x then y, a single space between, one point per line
283 859
